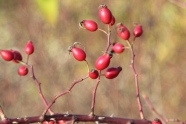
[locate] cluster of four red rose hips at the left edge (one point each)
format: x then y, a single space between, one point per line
16 57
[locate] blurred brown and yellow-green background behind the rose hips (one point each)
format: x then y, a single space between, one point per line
52 25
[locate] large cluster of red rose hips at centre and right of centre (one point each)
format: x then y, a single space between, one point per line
106 16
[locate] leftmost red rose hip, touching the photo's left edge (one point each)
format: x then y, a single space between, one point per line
7 55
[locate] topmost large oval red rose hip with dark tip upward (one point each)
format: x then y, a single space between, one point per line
105 14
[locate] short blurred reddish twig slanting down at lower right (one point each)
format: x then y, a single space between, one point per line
153 109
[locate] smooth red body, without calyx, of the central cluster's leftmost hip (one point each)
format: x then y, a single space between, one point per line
78 54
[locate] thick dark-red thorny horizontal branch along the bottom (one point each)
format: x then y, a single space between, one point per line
74 118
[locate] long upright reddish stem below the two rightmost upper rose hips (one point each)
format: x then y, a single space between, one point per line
136 80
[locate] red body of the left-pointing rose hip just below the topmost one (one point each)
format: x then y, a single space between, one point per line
90 25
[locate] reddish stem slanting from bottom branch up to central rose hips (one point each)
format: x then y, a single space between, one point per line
62 93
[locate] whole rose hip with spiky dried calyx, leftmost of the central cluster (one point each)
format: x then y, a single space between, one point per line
78 53
